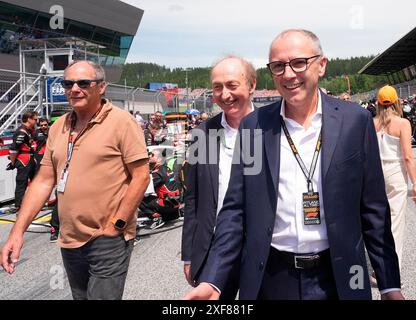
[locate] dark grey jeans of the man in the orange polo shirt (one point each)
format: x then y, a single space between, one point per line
98 269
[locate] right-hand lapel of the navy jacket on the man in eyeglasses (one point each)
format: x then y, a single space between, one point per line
331 128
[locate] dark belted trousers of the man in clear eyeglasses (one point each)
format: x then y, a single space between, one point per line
282 281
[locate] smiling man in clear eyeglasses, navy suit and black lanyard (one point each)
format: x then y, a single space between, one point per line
300 224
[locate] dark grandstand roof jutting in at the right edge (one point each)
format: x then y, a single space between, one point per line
399 56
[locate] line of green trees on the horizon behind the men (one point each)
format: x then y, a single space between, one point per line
335 80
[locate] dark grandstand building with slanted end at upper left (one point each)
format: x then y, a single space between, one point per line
108 25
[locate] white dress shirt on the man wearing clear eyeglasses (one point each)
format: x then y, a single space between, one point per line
290 233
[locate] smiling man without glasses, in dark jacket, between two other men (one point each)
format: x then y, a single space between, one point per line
233 82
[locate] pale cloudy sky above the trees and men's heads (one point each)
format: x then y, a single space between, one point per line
195 33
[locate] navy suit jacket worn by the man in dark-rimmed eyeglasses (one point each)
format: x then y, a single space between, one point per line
356 208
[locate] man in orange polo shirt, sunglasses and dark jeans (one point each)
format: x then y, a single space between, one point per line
101 171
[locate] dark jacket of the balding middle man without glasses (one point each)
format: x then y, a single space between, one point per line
201 202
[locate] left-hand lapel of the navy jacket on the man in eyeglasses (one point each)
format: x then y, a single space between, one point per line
272 133
